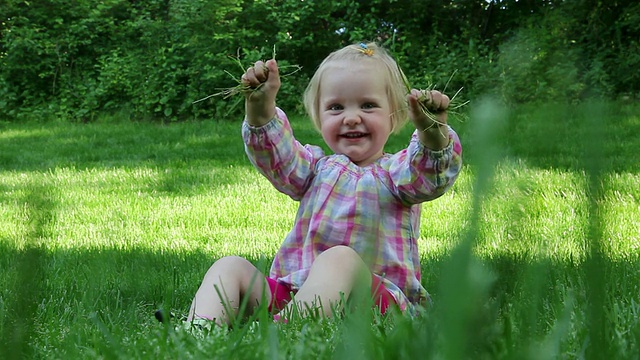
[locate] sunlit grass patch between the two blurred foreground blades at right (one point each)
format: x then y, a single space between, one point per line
538 212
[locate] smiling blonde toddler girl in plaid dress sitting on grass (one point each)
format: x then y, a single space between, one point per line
359 215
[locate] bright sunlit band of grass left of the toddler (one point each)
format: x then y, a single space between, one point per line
135 208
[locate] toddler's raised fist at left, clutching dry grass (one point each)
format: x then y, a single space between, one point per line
263 79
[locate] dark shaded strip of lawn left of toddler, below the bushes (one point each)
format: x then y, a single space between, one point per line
43 146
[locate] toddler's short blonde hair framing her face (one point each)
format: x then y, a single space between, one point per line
394 78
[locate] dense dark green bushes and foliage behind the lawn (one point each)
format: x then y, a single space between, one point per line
154 58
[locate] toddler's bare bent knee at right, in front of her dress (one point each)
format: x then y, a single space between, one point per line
334 275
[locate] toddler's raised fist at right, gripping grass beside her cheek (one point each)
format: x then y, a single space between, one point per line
432 128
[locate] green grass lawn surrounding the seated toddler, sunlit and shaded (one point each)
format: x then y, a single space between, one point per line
534 253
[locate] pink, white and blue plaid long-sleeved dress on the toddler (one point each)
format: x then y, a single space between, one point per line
373 209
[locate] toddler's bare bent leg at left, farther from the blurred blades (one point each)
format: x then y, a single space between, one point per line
233 278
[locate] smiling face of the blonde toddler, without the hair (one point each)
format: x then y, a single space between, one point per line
355 110
